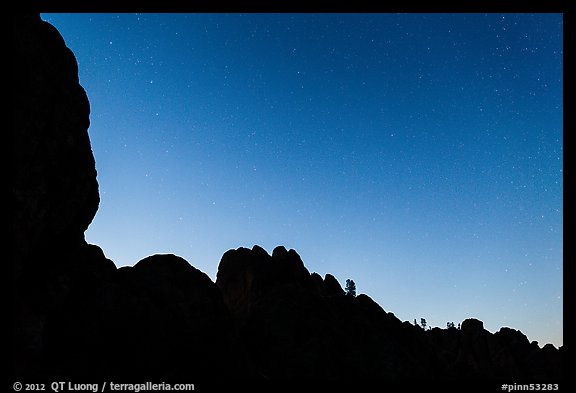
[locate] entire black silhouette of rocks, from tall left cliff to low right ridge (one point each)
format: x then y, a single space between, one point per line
75 315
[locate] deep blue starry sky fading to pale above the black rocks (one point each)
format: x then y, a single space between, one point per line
420 155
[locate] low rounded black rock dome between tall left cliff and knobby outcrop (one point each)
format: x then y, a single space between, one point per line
162 319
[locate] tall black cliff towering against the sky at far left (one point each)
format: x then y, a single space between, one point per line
54 187
